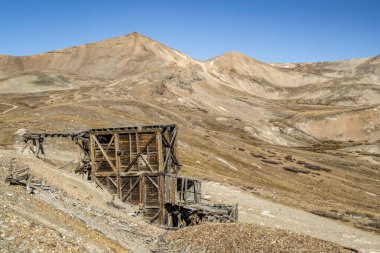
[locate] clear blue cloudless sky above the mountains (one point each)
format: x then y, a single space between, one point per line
278 31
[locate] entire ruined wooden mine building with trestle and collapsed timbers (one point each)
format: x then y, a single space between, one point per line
139 165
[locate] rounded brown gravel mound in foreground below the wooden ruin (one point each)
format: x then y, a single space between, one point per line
240 237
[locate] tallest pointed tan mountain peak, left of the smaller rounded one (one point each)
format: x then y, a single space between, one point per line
111 58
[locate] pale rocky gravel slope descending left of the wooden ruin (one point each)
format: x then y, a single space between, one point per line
52 220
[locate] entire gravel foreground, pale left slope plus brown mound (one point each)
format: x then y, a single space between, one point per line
53 220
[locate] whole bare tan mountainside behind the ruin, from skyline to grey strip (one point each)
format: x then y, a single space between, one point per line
290 131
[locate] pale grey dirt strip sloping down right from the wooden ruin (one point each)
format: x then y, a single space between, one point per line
253 209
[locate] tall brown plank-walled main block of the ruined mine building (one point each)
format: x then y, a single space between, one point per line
135 165
